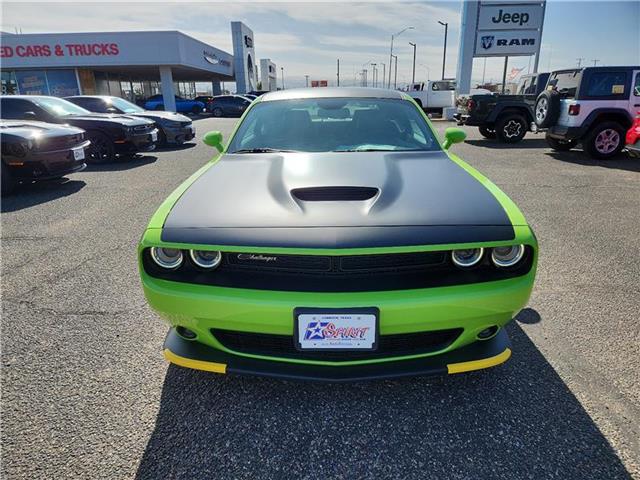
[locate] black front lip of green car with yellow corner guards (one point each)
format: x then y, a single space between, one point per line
476 356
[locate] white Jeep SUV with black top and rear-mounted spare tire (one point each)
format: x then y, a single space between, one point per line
593 106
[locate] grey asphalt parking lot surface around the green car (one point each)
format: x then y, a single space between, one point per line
87 394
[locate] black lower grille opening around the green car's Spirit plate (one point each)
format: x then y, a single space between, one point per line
398 345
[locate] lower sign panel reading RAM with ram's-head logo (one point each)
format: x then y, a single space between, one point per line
507 42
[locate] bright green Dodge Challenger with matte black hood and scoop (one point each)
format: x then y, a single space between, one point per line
336 238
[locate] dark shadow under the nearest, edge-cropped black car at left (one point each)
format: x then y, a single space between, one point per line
29 195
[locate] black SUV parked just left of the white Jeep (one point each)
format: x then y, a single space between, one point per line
506 117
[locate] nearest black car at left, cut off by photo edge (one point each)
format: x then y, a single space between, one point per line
36 151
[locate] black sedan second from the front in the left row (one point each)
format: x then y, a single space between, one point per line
110 134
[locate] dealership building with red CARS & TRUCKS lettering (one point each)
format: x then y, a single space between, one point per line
133 65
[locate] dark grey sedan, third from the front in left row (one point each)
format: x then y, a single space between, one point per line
172 127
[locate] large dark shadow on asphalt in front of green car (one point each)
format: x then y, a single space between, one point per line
518 420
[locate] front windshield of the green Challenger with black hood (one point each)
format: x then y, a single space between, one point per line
333 125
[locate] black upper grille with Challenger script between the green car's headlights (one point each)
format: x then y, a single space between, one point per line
349 273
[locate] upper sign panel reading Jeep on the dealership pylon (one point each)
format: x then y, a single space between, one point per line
510 17
